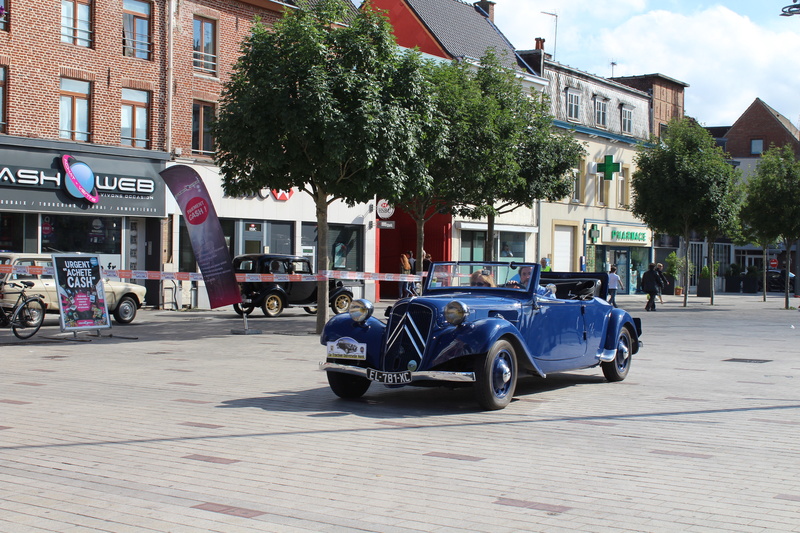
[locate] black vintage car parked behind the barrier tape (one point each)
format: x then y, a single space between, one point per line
273 297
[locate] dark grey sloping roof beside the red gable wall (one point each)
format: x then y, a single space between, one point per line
464 30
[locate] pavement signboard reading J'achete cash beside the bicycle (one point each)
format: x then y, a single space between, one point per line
81 295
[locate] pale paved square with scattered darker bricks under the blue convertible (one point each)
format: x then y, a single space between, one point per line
174 424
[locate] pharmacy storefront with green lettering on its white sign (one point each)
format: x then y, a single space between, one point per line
628 246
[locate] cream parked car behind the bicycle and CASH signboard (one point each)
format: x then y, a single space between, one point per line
123 299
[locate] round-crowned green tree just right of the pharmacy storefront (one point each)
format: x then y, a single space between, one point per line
684 182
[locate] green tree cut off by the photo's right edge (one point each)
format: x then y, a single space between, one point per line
771 208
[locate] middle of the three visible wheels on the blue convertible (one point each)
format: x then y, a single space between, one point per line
496 376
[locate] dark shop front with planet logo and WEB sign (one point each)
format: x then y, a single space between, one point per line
60 197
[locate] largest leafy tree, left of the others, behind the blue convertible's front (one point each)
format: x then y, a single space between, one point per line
336 111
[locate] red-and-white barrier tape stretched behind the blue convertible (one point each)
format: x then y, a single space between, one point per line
196 276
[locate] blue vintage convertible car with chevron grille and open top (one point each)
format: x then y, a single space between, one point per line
482 324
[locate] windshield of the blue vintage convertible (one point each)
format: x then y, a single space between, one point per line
480 275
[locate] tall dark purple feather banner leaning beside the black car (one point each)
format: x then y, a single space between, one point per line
205 233
